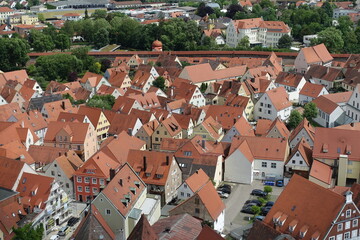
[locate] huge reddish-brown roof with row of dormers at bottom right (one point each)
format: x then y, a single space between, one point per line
295 206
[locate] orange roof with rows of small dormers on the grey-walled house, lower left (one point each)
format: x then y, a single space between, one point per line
118 191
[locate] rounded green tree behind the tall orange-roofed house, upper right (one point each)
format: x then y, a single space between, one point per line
332 38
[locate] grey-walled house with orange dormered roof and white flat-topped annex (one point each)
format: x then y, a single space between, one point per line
123 200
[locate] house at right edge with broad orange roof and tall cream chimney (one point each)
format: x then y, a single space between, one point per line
338 148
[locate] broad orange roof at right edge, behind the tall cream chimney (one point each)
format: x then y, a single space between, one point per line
330 142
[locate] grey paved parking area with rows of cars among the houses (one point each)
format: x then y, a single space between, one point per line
239 195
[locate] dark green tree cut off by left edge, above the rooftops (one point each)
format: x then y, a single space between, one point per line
13 52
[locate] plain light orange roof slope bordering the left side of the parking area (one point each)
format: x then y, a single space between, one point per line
211 200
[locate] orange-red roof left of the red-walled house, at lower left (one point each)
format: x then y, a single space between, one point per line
34 189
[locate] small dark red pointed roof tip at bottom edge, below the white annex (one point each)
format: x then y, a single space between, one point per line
143 230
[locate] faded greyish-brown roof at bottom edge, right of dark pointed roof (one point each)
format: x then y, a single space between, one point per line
178 227
